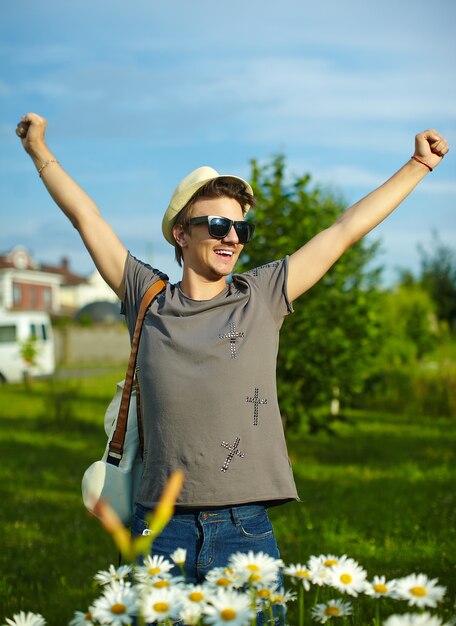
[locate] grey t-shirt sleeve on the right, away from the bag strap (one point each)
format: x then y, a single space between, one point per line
270 281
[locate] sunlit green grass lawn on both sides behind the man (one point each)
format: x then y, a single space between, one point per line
381 490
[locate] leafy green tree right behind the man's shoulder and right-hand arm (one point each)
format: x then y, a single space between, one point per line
327 346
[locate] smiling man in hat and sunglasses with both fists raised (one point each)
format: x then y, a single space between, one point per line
206 361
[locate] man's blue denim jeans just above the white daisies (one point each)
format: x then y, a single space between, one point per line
210 536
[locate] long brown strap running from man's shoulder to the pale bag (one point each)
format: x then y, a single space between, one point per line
117 442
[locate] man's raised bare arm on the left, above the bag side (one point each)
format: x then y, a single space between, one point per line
106 250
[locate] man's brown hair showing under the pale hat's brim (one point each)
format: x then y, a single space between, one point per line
222 187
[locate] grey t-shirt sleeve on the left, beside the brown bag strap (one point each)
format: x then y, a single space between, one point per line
138 276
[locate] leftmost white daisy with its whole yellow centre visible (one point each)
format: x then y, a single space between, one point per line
117 605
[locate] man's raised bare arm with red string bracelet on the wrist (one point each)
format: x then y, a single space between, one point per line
313 260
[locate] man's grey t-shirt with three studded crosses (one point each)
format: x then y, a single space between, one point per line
207 374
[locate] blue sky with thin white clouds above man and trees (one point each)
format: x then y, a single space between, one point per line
138 94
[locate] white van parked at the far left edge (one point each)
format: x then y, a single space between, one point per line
16 328
